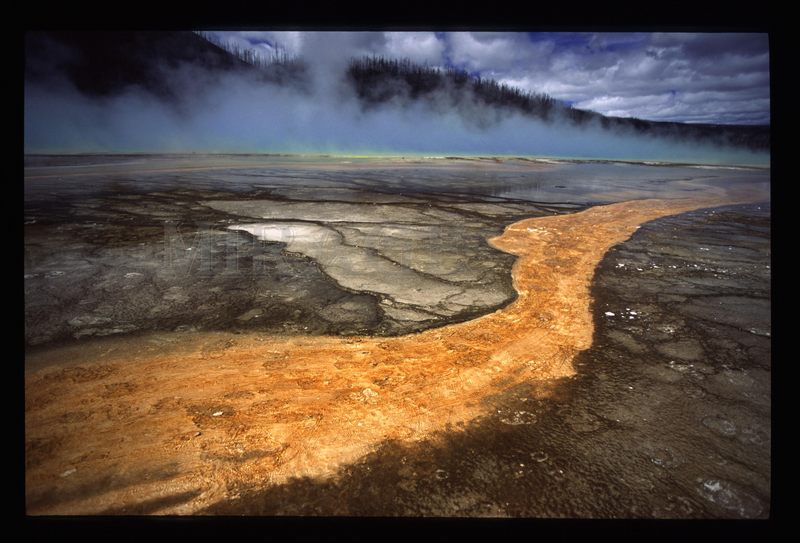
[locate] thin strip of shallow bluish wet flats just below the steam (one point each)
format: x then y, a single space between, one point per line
485 180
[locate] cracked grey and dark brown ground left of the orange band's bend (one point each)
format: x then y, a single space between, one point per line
341 260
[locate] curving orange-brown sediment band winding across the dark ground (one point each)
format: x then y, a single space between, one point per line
174 423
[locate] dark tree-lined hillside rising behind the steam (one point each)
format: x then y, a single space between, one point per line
106 63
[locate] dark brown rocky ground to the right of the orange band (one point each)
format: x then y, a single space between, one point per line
668 416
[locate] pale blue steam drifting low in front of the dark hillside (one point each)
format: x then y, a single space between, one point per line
236 113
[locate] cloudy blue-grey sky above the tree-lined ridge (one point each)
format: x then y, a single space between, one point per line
698 78
